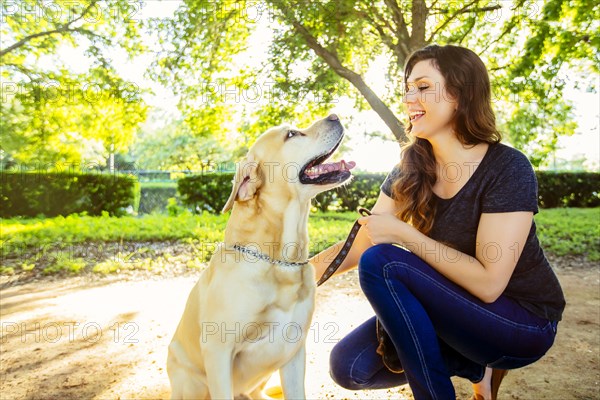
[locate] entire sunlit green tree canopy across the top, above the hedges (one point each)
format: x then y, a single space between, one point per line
242 66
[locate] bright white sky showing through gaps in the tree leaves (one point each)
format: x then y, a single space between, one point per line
370 154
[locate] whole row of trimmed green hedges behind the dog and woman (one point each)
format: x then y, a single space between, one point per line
33 194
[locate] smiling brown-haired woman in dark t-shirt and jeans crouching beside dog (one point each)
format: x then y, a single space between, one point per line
470 292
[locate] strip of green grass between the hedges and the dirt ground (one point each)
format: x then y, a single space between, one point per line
562 232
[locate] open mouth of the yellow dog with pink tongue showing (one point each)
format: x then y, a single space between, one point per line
317 172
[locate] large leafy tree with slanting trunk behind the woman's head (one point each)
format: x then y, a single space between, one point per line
328 47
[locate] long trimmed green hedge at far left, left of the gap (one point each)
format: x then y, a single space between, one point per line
31 194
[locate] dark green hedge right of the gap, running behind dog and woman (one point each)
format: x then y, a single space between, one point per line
209 192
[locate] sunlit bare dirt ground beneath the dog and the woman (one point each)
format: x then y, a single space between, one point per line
96 337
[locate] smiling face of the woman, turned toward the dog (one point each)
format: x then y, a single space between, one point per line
429 106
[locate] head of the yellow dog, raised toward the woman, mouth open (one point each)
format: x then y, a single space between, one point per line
289 162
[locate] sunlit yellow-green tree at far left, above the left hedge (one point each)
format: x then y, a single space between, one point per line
54 115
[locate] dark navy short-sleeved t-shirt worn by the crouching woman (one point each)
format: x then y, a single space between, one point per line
504 181
